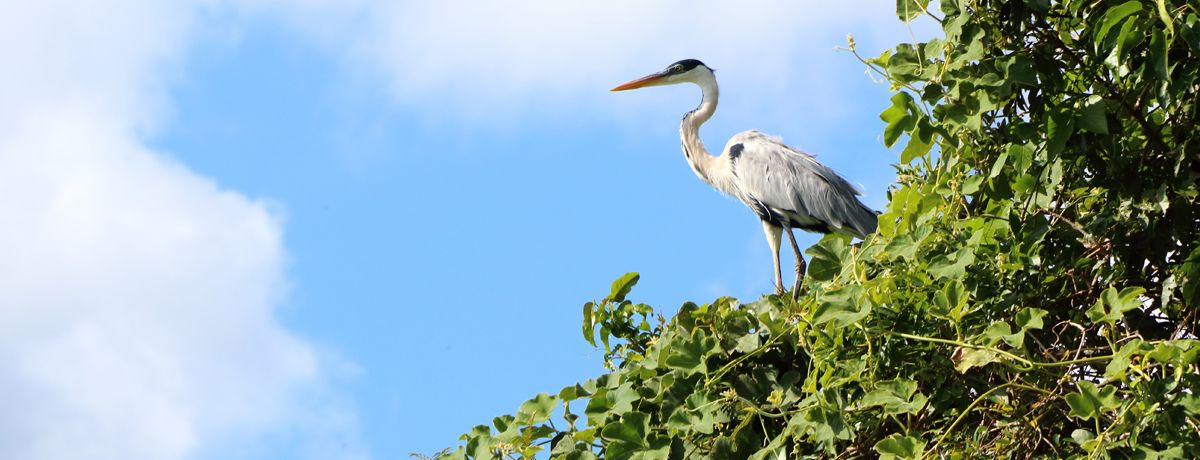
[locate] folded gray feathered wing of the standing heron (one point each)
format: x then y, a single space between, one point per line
791 189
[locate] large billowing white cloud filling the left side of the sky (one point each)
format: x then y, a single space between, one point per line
136 297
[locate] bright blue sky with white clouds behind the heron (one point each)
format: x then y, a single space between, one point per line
356 230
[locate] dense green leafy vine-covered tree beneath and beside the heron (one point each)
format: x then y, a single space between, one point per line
1033 290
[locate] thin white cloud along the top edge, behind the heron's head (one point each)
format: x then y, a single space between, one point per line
481 59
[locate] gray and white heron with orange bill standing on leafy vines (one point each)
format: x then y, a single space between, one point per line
784 187
